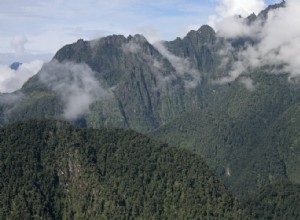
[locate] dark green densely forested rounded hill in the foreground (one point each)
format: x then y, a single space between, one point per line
53 170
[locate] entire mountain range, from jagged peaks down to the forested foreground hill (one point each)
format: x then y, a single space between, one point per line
181 92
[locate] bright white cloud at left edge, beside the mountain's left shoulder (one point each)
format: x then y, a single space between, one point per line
11 80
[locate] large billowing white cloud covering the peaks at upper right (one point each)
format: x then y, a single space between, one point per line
277 42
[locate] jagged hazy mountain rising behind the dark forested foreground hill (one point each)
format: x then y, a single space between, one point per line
245 128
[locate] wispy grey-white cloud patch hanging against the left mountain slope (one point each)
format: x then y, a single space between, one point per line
76 84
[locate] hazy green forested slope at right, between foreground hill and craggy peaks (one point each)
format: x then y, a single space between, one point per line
249 138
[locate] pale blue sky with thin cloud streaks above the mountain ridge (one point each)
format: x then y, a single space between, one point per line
34 29
